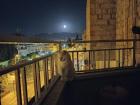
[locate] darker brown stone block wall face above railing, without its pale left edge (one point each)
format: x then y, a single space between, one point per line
103 19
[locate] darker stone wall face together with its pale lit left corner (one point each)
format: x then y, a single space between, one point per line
101 21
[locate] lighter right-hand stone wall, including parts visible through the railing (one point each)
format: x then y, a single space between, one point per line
127 16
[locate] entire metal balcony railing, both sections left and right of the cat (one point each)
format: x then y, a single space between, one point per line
26 83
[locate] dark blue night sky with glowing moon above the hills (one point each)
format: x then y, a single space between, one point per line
42 16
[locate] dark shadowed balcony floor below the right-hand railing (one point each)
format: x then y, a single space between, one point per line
121 89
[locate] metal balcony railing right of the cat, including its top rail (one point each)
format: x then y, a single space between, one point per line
102 54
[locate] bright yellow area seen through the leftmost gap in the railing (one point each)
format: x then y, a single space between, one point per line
8 94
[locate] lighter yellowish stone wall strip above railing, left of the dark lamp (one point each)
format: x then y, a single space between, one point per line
125 17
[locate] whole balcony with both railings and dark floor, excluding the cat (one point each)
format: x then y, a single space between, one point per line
100 66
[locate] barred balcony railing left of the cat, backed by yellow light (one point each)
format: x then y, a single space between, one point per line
22 84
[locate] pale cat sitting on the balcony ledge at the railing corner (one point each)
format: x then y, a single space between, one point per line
64 66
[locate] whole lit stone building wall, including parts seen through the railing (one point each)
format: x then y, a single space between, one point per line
113 19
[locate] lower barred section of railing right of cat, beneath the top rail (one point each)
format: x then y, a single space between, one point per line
92 61
